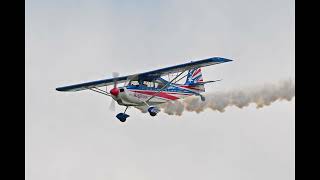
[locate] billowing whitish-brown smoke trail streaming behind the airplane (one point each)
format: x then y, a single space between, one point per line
260 95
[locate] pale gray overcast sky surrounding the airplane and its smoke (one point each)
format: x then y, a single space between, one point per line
75 136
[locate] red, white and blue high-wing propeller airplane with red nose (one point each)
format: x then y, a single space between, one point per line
145 91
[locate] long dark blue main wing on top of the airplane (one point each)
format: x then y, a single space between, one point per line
151 75
